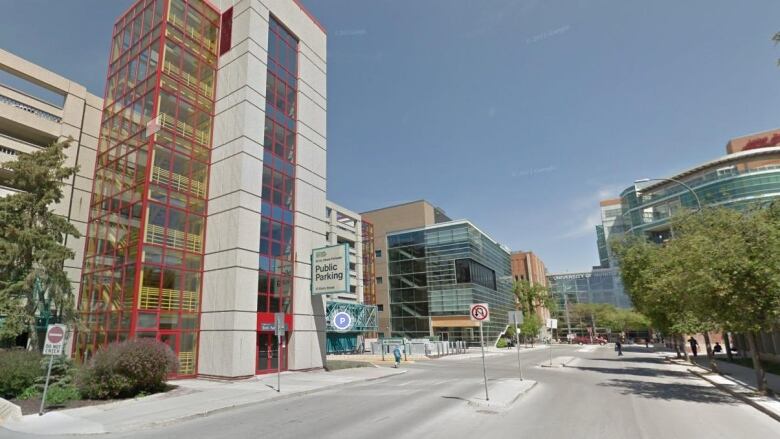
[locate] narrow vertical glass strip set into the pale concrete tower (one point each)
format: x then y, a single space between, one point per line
278 190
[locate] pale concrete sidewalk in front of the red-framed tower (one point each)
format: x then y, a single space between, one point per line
192 398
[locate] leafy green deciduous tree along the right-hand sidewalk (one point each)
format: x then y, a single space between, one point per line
721 271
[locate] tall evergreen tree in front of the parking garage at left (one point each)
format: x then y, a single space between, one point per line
32 243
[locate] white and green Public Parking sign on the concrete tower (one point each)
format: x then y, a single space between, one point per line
330 270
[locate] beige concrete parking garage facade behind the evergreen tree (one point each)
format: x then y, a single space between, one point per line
29 123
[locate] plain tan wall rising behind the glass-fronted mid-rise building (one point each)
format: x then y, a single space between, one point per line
410 215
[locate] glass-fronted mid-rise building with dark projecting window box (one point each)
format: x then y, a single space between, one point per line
437 272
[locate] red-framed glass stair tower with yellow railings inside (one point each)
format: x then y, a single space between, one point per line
144 253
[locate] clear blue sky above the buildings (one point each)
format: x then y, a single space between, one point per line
516 114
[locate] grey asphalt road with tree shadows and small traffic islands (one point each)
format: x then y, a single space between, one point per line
598 395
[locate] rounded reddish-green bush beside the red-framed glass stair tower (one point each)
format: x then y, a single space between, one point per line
123 370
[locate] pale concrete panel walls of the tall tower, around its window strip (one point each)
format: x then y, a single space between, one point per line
229 308
